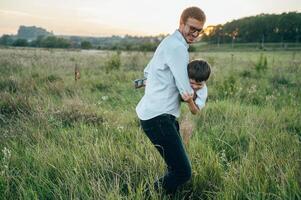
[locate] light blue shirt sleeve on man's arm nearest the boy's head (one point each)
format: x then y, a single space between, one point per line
177 60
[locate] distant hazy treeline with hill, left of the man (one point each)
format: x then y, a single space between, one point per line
126 43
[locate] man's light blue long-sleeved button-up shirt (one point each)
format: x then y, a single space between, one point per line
167 77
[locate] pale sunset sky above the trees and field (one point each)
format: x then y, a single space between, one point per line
120 17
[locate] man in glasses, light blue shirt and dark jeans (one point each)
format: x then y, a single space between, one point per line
167 80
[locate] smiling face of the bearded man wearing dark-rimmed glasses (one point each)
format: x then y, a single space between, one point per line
191 29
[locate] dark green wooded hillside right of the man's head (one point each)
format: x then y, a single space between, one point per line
285 27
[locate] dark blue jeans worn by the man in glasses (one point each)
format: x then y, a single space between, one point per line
163 132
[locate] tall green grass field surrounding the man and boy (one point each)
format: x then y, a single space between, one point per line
61 139
